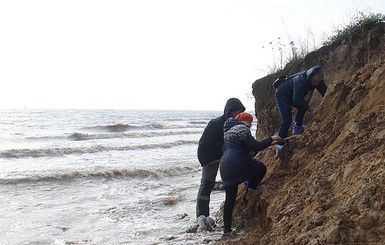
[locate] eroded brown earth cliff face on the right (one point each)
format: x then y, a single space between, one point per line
333 189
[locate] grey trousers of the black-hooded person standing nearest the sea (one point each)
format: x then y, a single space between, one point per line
209 174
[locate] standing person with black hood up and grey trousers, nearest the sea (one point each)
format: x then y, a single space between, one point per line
210 152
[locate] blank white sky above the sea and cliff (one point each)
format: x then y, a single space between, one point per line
152 54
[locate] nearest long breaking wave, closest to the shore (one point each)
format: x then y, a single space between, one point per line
104 173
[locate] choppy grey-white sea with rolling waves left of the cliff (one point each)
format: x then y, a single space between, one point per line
101 176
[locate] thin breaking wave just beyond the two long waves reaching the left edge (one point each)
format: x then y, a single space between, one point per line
141 134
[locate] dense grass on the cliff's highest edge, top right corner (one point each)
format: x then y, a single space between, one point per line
355 24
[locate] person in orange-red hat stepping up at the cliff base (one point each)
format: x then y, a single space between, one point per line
237 164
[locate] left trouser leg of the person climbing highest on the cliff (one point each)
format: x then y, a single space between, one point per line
284 108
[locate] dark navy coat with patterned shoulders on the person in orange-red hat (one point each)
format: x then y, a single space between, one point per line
236 159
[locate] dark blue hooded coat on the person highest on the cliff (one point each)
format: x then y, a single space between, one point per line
297 86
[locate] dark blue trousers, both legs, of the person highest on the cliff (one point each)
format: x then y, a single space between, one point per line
284 108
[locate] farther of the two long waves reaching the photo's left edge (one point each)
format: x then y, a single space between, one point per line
61 151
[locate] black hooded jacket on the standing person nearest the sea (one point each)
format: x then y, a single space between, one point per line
211 141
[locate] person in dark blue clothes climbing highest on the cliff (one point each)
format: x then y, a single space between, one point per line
290 93
